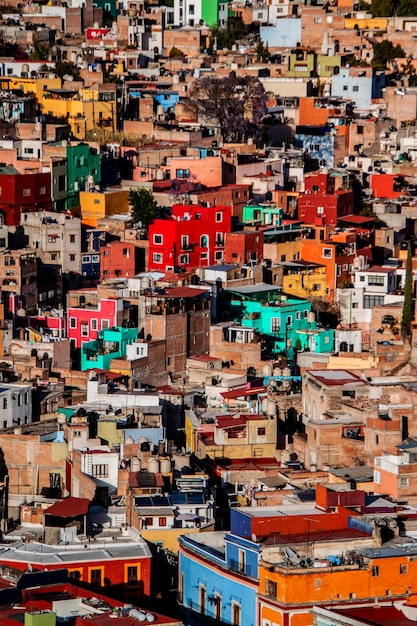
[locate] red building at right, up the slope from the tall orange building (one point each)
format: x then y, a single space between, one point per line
321 203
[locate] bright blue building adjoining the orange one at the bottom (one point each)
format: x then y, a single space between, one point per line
218 579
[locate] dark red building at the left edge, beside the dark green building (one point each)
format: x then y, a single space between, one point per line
23 192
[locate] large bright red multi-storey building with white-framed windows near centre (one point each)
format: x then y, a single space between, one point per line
193 237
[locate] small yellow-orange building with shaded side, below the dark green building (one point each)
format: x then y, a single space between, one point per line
96 205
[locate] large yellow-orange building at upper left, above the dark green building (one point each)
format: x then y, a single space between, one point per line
85 110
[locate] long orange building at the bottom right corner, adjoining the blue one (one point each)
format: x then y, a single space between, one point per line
287 591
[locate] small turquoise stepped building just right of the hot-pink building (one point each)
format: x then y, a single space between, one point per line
110 344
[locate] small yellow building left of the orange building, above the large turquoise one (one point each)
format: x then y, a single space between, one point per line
304 279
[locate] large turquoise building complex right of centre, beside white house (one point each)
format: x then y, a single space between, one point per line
283 324
